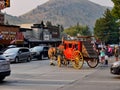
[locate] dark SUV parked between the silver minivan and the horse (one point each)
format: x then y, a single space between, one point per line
39 52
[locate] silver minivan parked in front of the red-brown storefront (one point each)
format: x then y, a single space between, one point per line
18 54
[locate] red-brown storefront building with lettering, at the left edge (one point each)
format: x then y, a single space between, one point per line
10 34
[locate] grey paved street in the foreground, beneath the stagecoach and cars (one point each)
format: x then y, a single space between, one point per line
39 75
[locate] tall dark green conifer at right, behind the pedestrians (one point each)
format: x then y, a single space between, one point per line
106 28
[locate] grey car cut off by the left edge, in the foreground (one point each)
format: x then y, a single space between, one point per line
5 69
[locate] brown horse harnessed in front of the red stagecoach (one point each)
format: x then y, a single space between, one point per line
51 55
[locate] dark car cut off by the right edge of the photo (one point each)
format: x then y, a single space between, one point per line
115 68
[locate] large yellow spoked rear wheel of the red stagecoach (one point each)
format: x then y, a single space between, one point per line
77 61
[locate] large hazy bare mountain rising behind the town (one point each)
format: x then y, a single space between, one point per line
65 12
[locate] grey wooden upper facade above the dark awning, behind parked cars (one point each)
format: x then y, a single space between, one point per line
42 32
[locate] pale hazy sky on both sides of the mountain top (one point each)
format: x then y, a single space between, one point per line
19 7
